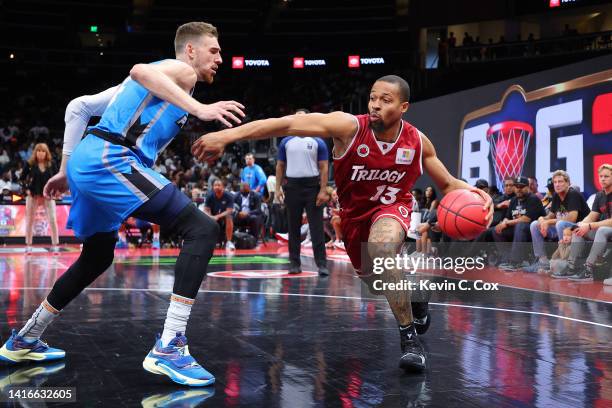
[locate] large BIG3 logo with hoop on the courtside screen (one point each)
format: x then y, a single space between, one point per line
565 126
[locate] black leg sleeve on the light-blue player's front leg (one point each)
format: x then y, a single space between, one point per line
199 233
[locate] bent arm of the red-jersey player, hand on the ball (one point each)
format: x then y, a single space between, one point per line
444 180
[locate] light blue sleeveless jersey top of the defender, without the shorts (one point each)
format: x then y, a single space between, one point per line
145 122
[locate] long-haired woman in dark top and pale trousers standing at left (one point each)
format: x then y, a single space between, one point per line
39 170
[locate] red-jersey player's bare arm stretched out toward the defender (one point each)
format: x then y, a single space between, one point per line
338 125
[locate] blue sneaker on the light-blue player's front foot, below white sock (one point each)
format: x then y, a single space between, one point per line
176 362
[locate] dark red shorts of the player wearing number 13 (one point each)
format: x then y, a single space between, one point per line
355 232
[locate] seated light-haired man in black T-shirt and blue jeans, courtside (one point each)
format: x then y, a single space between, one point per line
567 205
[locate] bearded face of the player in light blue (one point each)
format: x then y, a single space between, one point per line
204 55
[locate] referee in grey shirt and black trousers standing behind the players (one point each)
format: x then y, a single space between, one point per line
304 162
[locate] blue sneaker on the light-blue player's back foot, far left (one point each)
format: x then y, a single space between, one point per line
17 350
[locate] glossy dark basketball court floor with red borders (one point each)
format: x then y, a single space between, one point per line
274 340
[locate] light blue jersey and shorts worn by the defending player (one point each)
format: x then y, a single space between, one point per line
109 172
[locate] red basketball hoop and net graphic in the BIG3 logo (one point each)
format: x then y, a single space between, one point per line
509 142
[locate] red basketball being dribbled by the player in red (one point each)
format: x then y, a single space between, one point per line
461 214
